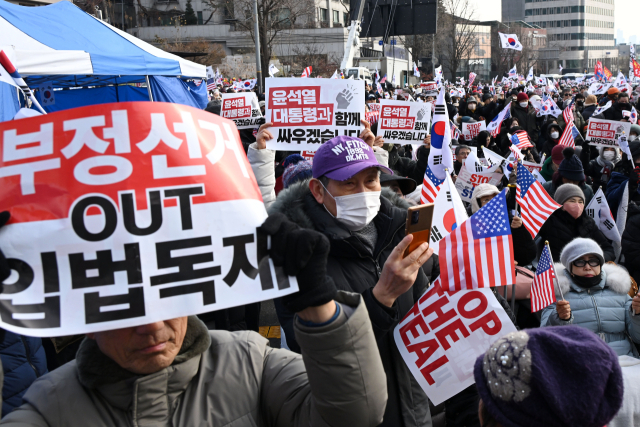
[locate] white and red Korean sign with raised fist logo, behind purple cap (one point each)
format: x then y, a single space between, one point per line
307 113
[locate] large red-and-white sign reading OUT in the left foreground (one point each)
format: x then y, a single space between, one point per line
126 214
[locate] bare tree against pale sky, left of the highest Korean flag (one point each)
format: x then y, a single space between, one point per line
456 37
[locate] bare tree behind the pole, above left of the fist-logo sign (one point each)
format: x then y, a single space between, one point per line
274 16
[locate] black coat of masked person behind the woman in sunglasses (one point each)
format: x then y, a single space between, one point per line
561 228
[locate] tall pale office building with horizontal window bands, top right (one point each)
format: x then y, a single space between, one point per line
579 33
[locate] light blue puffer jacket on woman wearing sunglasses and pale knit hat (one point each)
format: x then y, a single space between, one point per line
604 309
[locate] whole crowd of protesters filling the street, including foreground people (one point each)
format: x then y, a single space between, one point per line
339 227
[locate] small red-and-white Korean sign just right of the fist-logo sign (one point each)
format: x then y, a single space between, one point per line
404 122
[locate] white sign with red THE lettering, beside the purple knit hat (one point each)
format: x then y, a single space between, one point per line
441 337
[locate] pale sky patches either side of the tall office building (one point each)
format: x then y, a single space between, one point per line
625 16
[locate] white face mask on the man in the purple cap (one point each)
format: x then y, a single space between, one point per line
356 211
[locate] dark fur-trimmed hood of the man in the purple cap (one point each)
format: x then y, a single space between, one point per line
291 203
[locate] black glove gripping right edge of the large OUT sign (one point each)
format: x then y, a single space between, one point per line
302 253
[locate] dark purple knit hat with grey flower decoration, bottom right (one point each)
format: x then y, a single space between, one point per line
557 376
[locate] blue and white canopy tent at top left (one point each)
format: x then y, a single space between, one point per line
92 61
